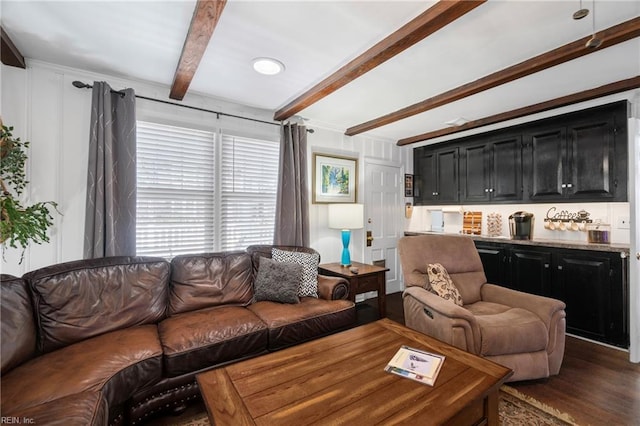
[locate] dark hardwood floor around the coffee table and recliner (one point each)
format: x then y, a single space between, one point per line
597 385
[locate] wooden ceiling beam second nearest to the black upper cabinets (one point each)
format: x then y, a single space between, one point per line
611 36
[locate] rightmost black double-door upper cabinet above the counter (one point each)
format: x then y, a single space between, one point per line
580 156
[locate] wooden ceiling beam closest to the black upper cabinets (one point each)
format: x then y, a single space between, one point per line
586 95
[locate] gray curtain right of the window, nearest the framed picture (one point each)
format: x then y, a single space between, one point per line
292 206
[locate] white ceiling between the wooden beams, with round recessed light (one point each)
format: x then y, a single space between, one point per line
143 40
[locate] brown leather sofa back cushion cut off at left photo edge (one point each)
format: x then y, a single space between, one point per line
18 325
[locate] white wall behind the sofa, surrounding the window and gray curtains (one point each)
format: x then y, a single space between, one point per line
45 109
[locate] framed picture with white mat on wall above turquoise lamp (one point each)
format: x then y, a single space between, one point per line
335 179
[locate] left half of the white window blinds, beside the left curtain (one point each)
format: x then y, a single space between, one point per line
175 208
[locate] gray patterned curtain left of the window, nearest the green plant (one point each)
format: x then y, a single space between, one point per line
110 225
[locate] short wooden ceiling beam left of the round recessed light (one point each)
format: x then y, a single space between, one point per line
205 18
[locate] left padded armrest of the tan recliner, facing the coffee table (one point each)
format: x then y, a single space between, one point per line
434 316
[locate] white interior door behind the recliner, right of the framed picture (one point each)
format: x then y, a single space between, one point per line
383 217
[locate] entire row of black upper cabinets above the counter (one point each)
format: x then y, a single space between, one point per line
581 156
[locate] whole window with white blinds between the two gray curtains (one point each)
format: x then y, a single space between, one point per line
202 191
